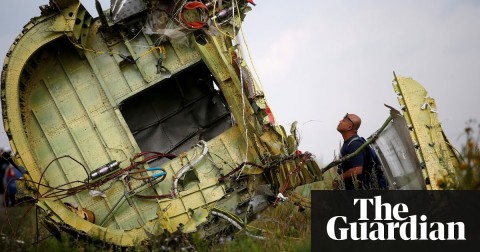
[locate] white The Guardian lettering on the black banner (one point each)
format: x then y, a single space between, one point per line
390 223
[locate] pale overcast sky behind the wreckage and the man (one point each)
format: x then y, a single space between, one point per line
318 60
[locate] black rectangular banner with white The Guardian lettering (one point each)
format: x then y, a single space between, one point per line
395 220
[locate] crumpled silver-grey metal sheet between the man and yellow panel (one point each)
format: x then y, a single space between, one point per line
397 154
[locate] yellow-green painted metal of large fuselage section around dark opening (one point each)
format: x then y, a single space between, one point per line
63 90
